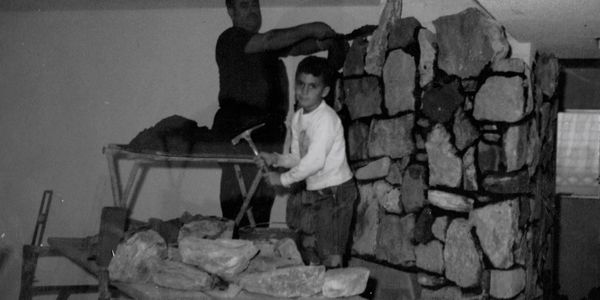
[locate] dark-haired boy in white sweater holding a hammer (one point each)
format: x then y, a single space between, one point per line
318 156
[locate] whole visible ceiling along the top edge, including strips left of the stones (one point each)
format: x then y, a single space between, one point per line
567 28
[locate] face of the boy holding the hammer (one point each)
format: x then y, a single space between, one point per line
310 91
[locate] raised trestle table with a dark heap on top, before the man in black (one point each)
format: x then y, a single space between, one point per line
123 197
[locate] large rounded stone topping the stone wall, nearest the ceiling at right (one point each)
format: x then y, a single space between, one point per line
468 41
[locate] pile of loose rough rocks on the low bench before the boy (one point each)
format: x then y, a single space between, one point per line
206 256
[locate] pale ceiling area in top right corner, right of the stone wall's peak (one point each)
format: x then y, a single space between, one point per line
567 28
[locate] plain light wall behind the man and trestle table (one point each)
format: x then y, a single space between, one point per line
74 80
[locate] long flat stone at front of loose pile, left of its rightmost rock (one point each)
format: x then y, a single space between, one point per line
302 281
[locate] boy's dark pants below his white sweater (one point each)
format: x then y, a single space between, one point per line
325 215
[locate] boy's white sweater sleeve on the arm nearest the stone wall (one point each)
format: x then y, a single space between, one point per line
321 136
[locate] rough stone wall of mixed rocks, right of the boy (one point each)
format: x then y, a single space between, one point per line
452 140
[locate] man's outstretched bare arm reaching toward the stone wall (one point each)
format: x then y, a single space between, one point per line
278 39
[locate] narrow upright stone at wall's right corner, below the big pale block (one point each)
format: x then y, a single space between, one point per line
515 146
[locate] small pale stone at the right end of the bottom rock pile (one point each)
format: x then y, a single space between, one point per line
345 282
